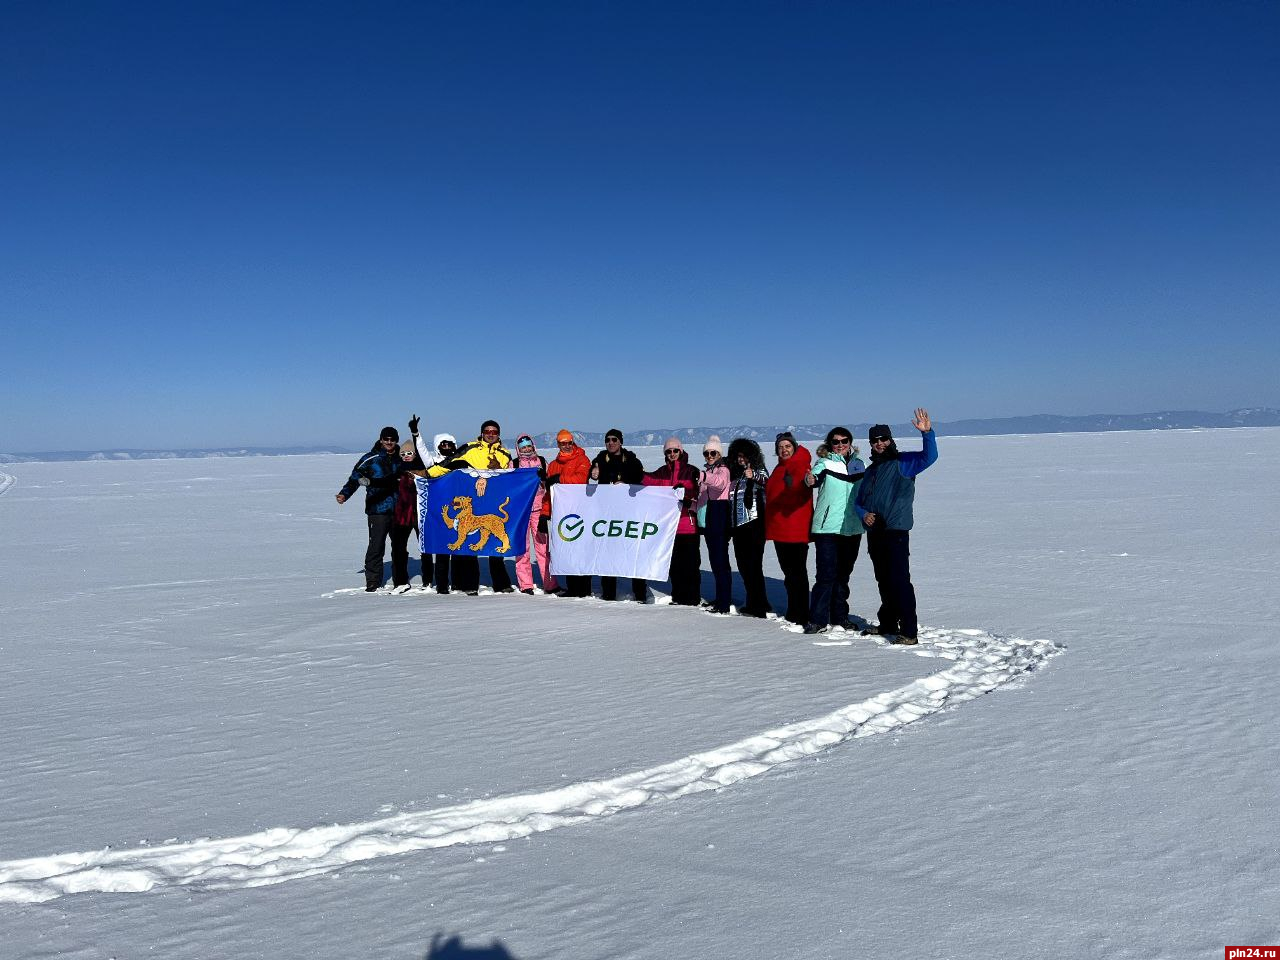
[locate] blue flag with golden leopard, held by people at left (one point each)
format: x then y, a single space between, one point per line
477 513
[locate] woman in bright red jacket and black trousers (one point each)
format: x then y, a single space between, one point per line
788 516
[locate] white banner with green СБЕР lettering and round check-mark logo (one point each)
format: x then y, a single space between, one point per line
615 531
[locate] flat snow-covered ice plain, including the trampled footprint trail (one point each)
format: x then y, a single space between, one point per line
200 706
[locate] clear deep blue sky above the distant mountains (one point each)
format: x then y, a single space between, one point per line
249 223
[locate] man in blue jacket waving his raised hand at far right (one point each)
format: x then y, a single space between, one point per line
884 504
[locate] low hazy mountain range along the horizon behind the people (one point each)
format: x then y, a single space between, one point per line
693 436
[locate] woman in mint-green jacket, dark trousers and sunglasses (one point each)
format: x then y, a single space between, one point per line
836 531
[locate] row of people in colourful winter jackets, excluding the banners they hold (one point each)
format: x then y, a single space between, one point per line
830 500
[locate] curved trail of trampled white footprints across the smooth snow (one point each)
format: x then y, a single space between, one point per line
981 664
